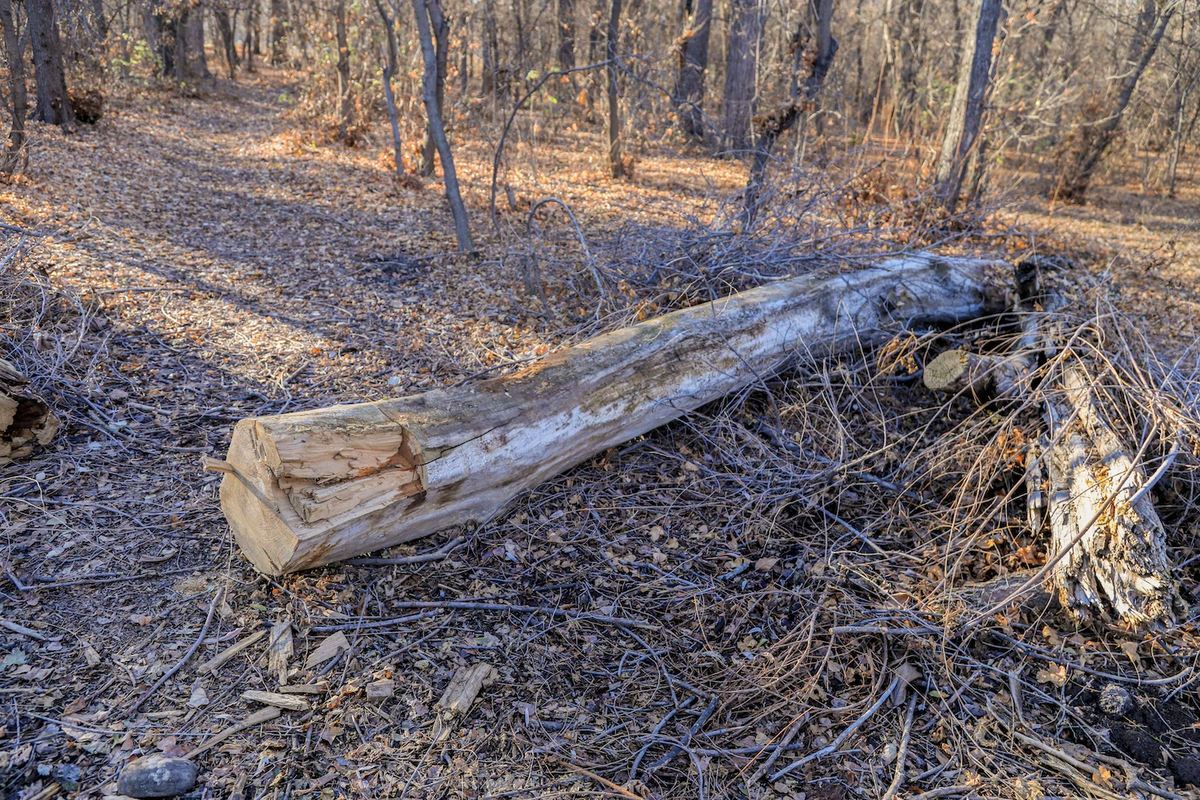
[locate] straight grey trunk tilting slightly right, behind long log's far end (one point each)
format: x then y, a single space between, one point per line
967 110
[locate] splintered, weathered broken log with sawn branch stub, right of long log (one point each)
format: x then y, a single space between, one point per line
1108 548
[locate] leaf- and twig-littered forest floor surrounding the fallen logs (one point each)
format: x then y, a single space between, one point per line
778 597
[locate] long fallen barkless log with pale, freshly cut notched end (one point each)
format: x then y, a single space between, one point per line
314 488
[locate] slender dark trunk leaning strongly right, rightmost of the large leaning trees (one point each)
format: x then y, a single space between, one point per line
1099 134
